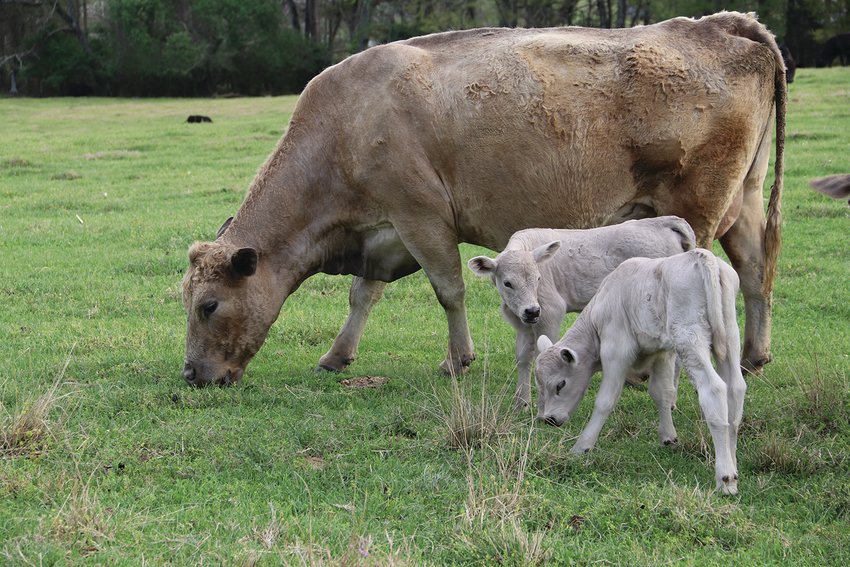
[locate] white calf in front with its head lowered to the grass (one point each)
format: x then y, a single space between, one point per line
648 312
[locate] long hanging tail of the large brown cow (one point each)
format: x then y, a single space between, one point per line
746 25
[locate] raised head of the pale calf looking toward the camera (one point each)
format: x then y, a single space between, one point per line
516 275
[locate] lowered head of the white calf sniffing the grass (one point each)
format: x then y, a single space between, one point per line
563 377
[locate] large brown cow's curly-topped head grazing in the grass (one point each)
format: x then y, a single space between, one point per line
227 293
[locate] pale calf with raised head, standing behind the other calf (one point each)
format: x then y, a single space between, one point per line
542 274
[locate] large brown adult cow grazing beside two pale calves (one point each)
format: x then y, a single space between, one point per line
400 152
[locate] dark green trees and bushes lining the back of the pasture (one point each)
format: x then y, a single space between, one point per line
259 47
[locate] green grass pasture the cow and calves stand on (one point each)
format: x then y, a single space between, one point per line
106 457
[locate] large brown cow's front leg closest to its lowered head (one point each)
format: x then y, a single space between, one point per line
362 296
